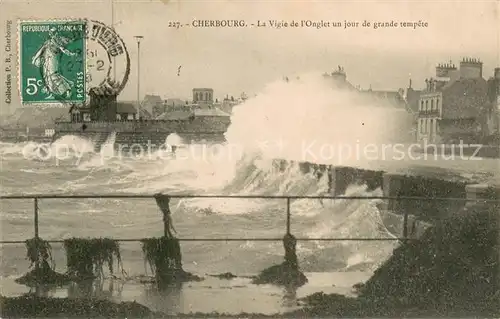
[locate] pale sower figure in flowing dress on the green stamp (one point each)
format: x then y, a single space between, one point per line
47 58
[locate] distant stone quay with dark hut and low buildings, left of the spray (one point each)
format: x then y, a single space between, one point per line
104 116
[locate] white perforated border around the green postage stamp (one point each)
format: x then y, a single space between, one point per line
20 21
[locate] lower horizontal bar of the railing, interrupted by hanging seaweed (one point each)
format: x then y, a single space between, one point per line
6 242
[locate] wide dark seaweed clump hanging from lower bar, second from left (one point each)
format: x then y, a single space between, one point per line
86 257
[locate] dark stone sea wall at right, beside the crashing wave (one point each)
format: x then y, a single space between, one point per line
443 192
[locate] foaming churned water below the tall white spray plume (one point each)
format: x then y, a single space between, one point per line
250 175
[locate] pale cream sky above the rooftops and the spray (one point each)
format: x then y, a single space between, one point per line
235 60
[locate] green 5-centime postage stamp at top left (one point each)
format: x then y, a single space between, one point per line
52 61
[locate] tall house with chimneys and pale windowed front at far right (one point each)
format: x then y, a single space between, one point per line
453 105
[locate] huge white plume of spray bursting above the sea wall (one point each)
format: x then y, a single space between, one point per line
309 120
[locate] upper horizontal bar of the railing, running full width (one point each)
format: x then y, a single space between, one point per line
58 196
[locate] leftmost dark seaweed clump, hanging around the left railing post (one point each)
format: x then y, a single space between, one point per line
39 253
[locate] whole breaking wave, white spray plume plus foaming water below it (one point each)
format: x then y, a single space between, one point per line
303 111
